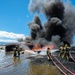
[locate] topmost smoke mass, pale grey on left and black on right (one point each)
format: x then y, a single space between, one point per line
51 8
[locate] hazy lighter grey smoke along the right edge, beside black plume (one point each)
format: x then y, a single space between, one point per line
69 22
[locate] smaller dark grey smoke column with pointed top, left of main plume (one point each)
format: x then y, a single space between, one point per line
36 28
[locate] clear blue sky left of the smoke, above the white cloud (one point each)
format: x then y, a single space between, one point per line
14 16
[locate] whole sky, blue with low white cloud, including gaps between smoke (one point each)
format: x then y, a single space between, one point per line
14 18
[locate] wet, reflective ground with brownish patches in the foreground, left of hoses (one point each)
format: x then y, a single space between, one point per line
25 65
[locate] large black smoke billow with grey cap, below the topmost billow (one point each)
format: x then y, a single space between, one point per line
54 27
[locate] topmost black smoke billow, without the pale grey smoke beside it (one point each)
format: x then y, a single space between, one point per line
55 9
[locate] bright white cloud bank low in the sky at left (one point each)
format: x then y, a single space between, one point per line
12 37
